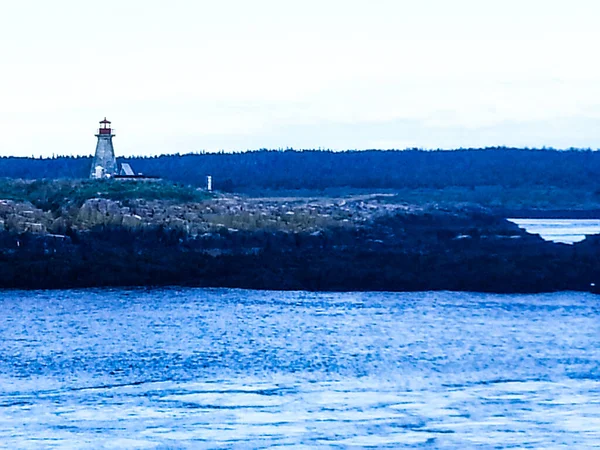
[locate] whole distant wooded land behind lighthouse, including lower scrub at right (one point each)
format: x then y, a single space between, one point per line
509 178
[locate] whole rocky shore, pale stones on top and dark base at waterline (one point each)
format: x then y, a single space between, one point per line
350 244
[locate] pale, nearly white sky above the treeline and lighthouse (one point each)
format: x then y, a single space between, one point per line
194 75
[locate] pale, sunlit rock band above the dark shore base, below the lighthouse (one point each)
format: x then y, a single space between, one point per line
293 215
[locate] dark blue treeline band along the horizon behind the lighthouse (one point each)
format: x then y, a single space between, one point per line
289 169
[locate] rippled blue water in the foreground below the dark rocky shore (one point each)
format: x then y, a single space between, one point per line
195 368
